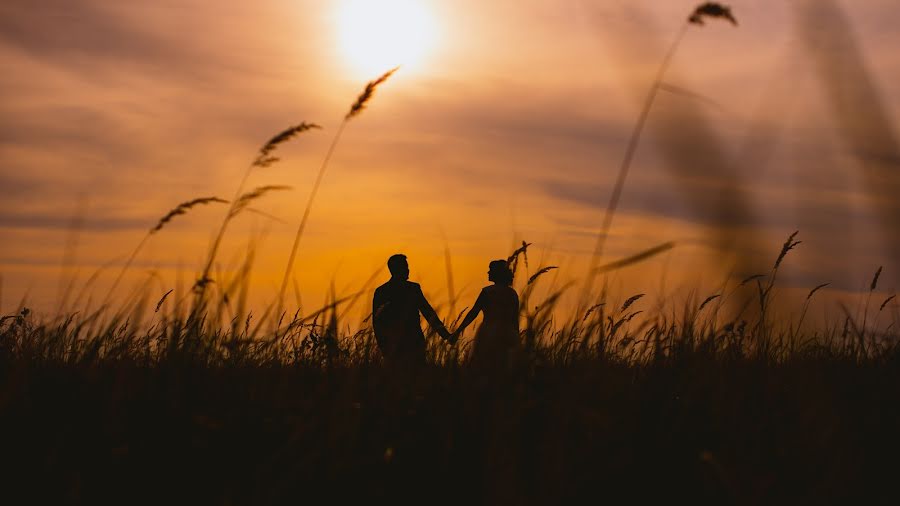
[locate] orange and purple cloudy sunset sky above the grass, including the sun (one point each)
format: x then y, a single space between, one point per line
506 121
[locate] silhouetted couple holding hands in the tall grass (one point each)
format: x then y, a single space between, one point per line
398 303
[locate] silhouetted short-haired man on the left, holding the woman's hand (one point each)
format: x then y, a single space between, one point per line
395 309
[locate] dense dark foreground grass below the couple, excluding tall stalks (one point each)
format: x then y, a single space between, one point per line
191 417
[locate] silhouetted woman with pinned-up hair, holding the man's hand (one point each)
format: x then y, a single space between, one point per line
498 334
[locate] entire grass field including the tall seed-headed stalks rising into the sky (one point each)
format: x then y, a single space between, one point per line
194 399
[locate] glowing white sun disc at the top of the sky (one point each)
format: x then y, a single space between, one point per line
377 35
